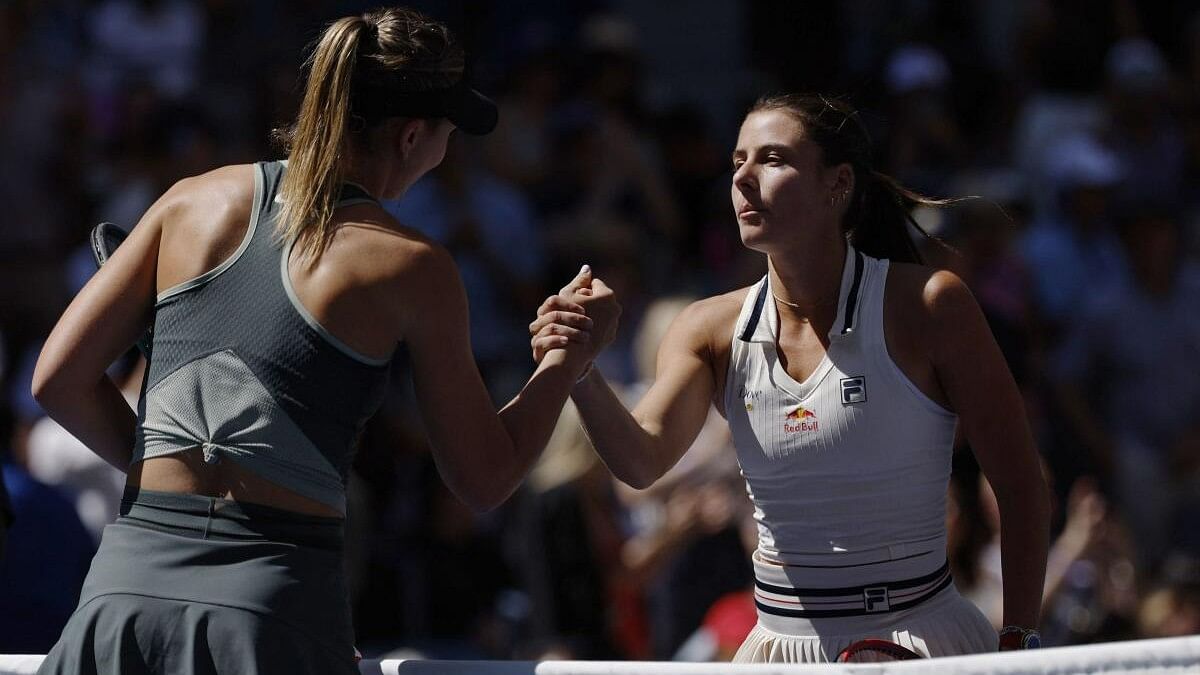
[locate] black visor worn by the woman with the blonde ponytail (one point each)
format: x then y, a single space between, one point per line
469 110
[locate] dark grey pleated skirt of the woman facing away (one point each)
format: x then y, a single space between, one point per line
194 586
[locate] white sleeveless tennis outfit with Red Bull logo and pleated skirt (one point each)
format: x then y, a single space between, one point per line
848 473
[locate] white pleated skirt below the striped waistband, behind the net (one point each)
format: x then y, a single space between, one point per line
945 625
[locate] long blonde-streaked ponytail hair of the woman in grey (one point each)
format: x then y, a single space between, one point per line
383 51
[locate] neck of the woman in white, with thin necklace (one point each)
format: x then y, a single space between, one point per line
807 284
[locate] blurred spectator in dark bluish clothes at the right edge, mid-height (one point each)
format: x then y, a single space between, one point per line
1124 386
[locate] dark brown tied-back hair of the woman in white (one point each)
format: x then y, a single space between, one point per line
880 208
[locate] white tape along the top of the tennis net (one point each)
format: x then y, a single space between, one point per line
1174 655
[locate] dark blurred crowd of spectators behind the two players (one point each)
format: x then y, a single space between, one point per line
1075 123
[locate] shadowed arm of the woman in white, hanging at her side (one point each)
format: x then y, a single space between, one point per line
981 390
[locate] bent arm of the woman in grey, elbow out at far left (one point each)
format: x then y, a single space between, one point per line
103 322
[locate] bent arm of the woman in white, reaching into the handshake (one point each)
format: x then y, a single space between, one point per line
640 447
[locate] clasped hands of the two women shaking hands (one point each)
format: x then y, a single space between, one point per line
581 316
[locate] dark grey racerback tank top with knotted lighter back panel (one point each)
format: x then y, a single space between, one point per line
242 369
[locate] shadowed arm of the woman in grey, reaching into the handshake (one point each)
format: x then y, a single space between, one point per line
484 455
